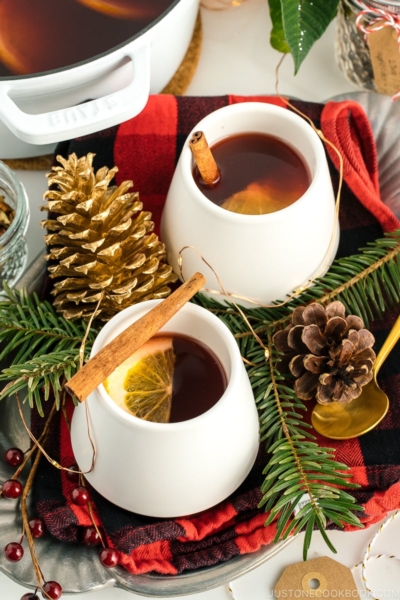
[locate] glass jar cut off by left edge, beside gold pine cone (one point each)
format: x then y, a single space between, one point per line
13 246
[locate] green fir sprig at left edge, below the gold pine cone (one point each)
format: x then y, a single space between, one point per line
43 347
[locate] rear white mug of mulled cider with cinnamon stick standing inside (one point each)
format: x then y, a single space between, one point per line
263 247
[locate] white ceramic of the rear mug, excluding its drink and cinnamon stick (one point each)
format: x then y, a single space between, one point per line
261 257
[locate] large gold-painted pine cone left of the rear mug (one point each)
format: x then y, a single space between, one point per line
100 242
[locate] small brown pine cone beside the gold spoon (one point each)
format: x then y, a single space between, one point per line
329 353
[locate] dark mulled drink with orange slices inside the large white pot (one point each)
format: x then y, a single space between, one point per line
42 35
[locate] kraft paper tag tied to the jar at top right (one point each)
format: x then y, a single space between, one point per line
385 59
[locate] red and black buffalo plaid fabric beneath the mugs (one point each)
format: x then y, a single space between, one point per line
146 150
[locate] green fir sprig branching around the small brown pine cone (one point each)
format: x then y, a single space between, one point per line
367 284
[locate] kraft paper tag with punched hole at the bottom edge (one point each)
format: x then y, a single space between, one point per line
317 578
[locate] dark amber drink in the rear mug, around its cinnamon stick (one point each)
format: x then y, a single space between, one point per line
251 158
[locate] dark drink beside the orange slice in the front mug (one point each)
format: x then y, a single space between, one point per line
199 379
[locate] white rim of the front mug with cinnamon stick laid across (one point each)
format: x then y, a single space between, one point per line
168 428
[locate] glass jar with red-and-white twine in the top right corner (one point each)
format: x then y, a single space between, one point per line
351 49
